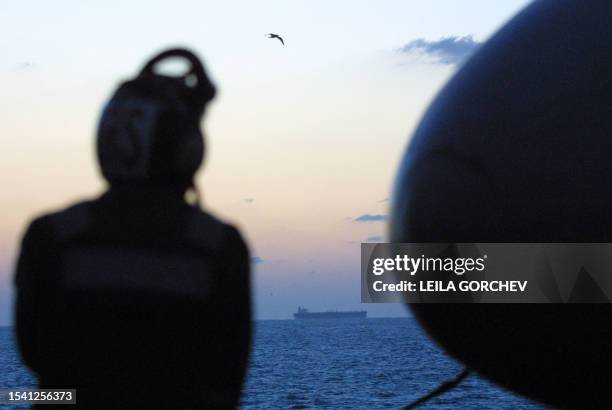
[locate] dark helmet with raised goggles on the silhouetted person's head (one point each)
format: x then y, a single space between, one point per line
150 128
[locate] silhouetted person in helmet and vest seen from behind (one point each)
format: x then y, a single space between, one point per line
139 299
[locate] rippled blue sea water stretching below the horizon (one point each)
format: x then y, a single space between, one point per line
335 364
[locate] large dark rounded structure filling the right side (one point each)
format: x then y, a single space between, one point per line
518 148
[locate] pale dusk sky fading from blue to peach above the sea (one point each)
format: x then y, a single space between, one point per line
303 140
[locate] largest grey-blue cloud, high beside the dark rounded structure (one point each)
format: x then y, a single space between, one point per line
447 50
